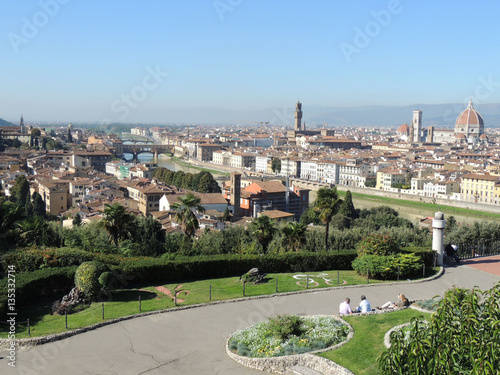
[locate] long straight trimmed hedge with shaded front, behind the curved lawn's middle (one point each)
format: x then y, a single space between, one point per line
198 268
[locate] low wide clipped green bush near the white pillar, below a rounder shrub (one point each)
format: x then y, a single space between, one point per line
388 267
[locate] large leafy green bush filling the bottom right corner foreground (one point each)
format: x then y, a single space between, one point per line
461 337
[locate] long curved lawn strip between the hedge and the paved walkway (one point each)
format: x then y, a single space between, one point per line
125 302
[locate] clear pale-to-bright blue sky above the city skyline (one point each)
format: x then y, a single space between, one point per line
71 60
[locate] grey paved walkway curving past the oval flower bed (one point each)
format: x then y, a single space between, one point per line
192 341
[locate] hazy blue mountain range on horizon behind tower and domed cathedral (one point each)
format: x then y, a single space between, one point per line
441 115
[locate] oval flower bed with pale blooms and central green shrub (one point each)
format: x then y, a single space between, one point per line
287 335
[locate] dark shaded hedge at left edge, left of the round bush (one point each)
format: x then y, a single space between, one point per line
32 286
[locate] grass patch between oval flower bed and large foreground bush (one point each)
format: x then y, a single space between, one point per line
360 353
